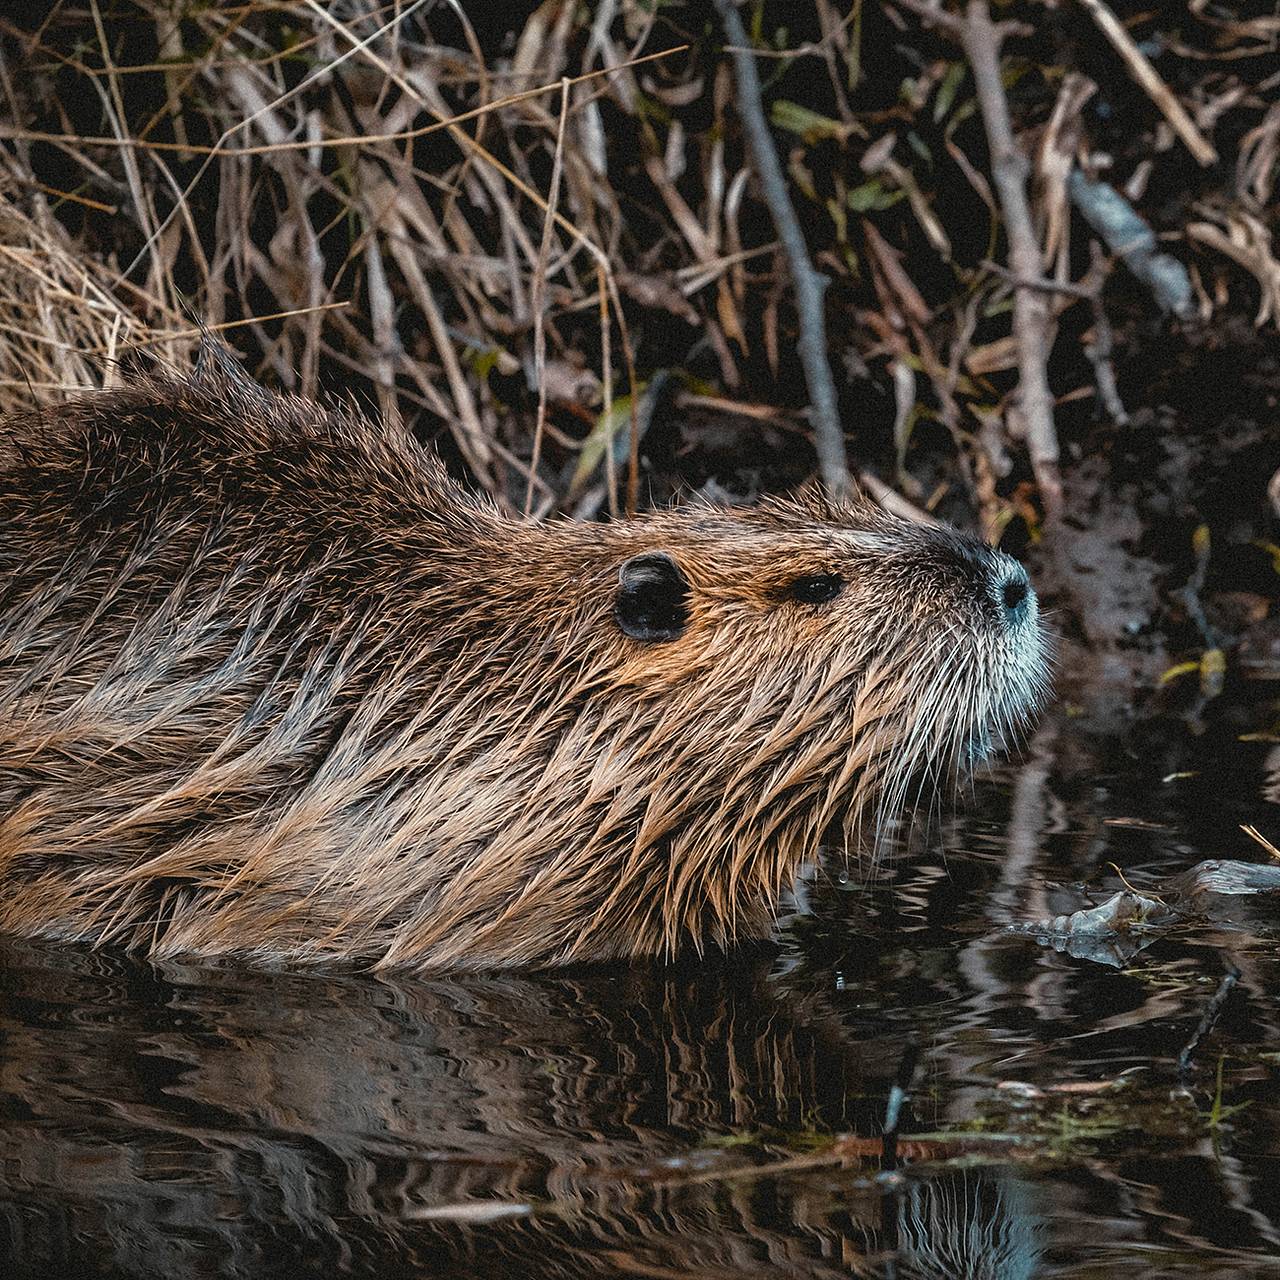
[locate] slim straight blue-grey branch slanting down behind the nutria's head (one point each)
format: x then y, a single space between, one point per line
808 285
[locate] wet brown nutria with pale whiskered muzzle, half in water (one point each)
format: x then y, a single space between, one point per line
272 684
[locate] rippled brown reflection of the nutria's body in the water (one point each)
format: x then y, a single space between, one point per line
171 1122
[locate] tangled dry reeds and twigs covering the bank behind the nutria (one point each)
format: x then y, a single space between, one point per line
537 234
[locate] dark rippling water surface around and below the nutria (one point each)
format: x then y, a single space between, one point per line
712 1121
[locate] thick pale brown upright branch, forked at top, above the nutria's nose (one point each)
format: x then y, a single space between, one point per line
981 38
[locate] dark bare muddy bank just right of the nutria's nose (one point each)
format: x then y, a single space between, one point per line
1165 551
